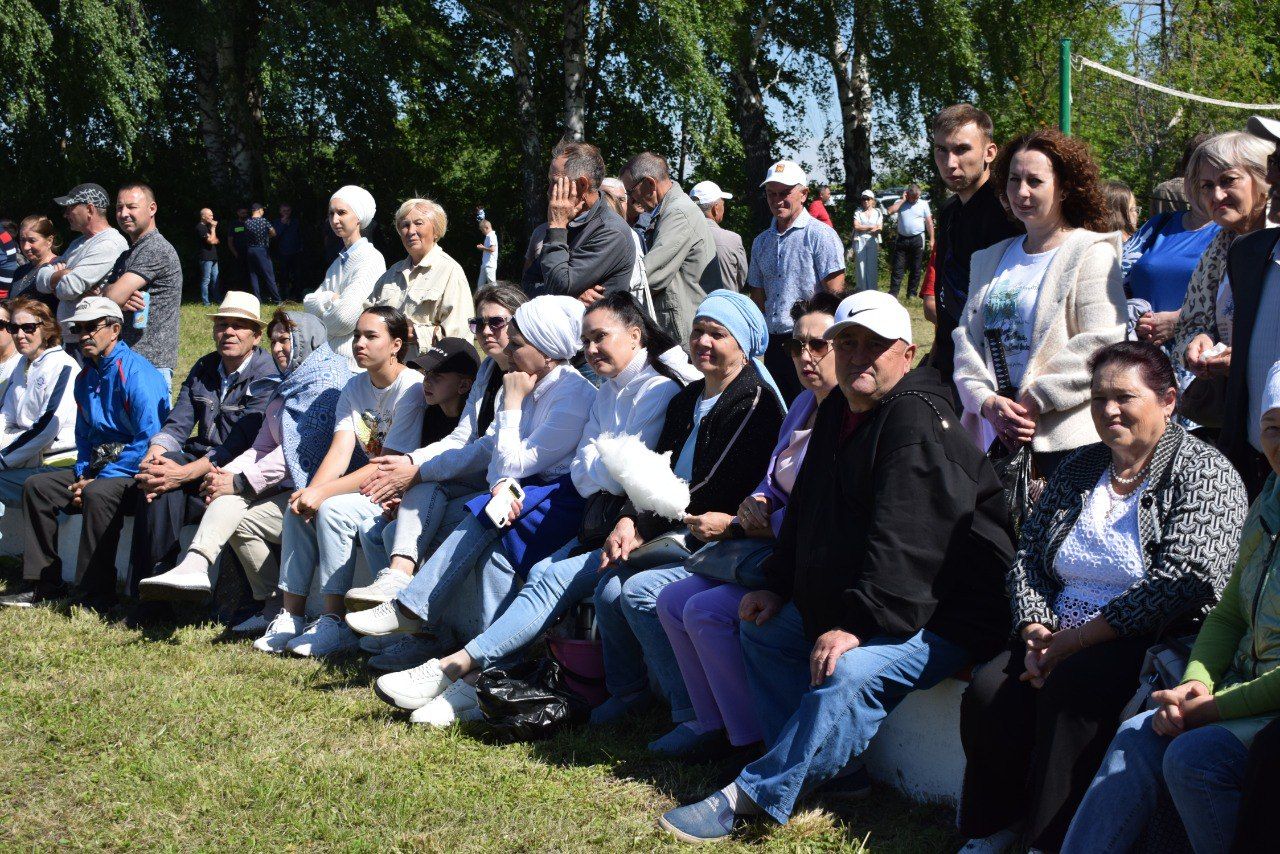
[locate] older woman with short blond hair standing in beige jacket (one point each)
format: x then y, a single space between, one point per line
428 286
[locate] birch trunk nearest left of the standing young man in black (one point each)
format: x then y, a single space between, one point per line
854 93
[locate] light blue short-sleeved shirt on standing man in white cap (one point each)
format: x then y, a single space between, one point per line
789 267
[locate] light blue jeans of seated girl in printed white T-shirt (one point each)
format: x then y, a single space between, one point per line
327 545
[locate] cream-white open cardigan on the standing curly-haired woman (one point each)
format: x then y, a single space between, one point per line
1081 309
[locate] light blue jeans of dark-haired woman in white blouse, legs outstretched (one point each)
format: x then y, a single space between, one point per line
555 586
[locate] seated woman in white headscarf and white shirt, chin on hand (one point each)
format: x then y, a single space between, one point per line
542 410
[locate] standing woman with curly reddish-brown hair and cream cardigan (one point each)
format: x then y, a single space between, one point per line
1041 304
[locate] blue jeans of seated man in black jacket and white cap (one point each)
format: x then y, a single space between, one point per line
813 733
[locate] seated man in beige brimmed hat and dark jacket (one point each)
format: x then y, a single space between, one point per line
216 418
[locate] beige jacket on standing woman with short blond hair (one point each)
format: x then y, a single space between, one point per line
433 294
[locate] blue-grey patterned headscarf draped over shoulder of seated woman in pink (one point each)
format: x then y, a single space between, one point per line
312 391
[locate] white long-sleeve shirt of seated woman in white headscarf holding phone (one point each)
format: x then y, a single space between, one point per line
541 439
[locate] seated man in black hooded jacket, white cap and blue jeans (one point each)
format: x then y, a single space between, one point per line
888 576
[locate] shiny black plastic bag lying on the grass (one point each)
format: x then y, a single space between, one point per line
528 702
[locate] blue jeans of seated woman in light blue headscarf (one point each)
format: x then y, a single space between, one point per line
633 637
